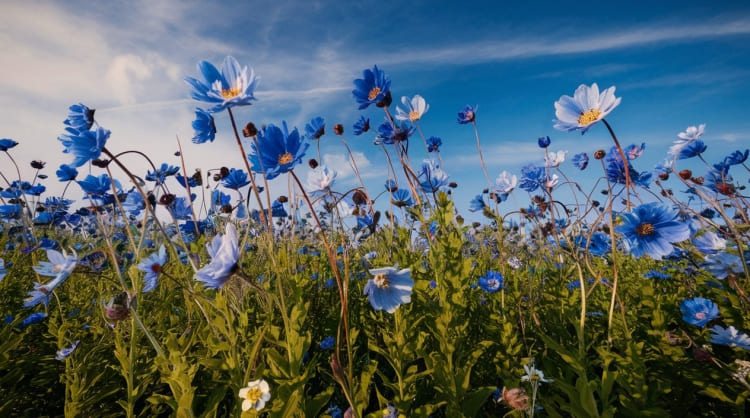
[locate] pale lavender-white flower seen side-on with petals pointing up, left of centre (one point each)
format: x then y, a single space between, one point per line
224 253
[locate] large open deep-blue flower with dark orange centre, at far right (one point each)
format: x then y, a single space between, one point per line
652 228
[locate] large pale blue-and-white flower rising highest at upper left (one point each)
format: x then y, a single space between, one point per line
233 86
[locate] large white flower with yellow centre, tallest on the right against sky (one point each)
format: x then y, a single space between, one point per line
585 108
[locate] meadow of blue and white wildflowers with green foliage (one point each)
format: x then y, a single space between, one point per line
614 288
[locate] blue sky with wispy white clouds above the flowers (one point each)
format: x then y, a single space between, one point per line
675 64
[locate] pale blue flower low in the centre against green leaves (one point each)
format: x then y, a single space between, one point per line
389 288
